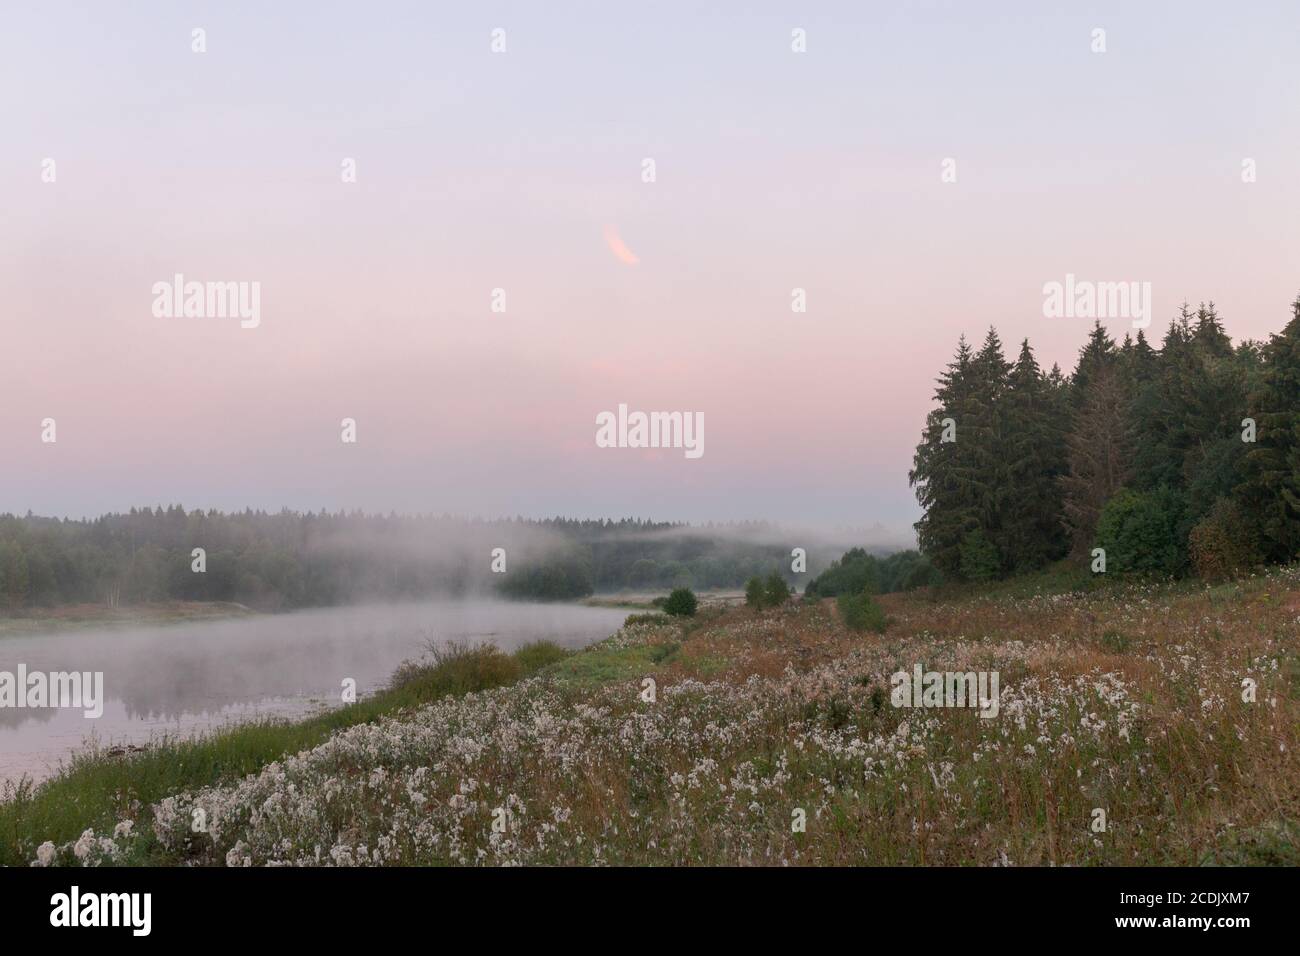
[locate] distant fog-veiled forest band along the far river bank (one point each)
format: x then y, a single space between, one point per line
293 560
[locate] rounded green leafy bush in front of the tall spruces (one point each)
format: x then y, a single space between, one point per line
1139 533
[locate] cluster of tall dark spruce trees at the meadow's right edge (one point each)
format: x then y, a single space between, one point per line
1172 461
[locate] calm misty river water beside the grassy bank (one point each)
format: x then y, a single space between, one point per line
187 678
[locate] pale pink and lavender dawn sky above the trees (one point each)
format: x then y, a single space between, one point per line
525 171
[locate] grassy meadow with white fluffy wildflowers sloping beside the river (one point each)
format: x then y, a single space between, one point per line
772 739
